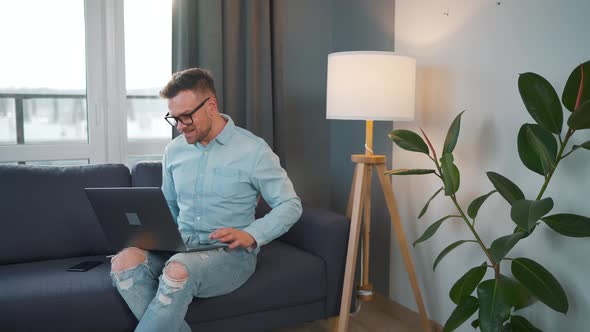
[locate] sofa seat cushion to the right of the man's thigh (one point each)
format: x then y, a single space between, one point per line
285 276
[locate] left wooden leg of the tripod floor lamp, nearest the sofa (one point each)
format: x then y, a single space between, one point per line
353 239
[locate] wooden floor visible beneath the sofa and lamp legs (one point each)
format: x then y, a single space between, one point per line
379 315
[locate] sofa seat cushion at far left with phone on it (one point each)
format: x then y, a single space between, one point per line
43 296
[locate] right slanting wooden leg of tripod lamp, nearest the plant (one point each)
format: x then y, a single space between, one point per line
403 243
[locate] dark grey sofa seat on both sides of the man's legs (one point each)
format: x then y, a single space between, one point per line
90 296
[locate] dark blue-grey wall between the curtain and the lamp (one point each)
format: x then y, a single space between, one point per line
317 151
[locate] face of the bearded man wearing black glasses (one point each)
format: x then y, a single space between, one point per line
183 104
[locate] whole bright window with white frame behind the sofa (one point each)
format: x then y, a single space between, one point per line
81 84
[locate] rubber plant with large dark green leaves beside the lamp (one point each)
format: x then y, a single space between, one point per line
542 146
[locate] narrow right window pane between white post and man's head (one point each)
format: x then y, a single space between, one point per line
148 65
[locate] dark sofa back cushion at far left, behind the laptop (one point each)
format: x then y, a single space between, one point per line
45 212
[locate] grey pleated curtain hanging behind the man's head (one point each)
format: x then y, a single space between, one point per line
232 38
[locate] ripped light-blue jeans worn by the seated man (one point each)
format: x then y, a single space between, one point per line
160 303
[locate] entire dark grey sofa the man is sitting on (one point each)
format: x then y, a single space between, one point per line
47 225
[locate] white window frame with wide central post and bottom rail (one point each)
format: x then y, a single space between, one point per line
106 98
